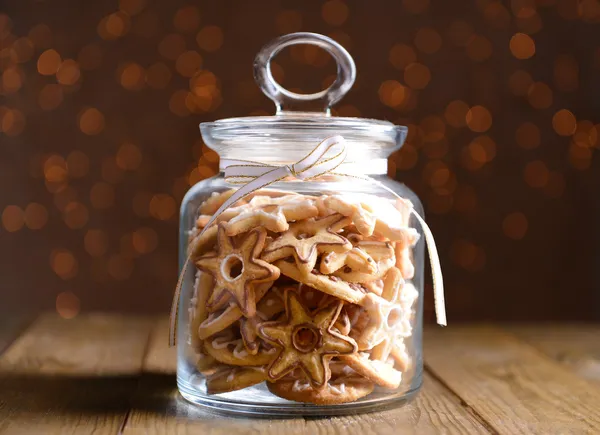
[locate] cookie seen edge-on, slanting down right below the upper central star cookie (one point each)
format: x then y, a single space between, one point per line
329 284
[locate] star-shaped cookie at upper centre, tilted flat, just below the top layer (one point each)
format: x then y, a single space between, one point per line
305 240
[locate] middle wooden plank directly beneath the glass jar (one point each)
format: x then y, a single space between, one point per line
159 409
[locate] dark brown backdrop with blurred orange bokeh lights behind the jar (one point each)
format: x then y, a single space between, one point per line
99 140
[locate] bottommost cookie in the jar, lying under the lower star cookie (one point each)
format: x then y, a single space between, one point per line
343 390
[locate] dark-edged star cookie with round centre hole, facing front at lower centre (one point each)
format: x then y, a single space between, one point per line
306 341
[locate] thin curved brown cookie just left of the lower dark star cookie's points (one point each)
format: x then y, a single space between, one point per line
232 351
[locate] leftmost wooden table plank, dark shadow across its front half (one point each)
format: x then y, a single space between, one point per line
72 376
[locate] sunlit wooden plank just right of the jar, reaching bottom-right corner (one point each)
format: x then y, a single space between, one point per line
515 388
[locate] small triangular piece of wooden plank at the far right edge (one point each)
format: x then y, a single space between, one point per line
576 346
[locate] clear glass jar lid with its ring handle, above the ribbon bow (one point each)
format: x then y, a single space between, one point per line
293 130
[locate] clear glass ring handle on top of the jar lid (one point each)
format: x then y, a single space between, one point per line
285 100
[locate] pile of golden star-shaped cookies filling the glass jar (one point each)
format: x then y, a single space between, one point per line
311 294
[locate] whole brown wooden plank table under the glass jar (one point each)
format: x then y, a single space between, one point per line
109 374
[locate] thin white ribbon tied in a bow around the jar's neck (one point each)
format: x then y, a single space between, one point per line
325 158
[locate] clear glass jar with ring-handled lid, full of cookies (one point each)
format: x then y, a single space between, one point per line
305 296
